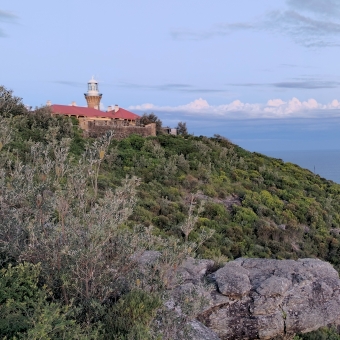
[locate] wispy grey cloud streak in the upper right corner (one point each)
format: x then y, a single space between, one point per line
310 23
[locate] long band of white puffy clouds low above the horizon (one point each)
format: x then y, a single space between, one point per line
275 108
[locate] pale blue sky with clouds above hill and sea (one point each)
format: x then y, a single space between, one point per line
263 73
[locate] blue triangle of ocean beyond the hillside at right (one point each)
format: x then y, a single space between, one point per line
325 163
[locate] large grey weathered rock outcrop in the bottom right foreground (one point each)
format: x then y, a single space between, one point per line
265 299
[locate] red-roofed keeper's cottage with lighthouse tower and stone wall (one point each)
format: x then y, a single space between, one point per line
95 122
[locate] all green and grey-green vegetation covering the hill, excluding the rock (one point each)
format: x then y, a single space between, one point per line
75 211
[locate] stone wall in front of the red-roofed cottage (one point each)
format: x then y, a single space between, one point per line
120 131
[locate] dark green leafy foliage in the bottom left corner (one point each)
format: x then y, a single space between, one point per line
27 312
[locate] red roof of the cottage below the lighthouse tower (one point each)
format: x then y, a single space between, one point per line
88 112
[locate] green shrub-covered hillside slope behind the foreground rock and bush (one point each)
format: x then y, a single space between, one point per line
257 206
